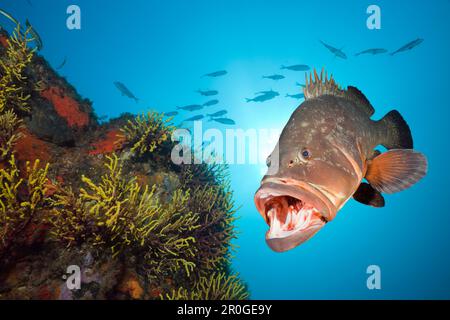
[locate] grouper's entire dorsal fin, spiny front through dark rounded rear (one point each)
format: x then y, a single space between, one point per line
317 86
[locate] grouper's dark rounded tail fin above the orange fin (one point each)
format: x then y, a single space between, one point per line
398 135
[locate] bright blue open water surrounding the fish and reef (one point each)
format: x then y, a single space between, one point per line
160 49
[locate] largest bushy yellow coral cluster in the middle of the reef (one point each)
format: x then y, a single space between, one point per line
118 213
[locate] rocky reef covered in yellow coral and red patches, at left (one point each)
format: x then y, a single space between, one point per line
105 198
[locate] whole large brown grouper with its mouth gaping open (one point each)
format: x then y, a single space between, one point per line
324 152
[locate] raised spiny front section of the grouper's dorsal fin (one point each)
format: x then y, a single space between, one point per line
320 86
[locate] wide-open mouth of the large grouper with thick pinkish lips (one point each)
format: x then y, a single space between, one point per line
294 212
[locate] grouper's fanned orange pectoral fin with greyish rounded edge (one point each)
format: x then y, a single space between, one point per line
396 170
